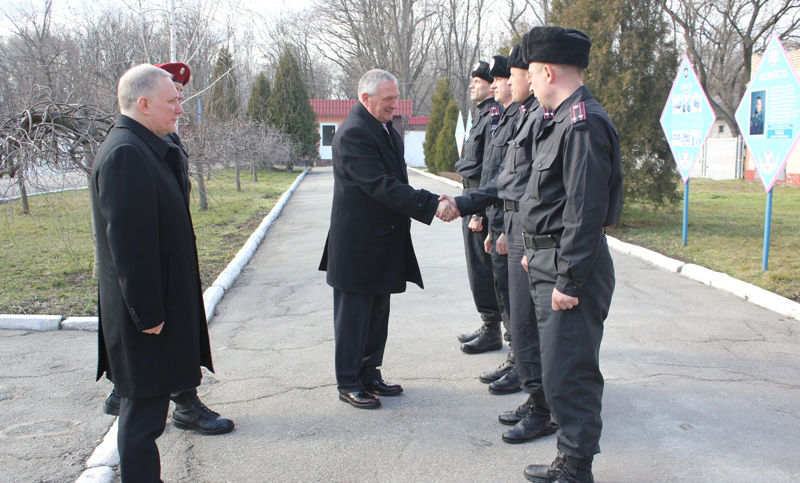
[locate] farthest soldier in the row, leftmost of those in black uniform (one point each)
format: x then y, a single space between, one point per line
479 263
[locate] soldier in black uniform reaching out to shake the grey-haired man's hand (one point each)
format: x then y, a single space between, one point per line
532 419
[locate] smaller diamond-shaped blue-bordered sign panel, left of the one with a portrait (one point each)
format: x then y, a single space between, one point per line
687 118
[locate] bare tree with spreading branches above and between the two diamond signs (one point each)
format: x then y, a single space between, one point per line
721 38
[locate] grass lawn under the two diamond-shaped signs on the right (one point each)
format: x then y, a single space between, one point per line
726 232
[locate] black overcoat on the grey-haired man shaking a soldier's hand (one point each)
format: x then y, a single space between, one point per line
369 248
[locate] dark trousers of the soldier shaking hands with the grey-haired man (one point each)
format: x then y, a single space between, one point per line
524 331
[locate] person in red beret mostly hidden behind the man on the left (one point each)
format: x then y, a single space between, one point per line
190 412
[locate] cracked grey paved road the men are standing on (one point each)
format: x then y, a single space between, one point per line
700 385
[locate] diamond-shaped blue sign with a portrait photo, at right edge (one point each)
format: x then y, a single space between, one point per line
768 113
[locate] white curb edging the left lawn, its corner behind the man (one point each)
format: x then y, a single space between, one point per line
211 296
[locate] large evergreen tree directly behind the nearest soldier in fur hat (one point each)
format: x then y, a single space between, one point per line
631 70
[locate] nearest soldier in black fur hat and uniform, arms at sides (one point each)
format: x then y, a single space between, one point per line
574 191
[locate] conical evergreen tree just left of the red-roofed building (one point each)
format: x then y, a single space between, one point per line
291 111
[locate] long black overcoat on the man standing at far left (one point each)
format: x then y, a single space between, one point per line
146 266
